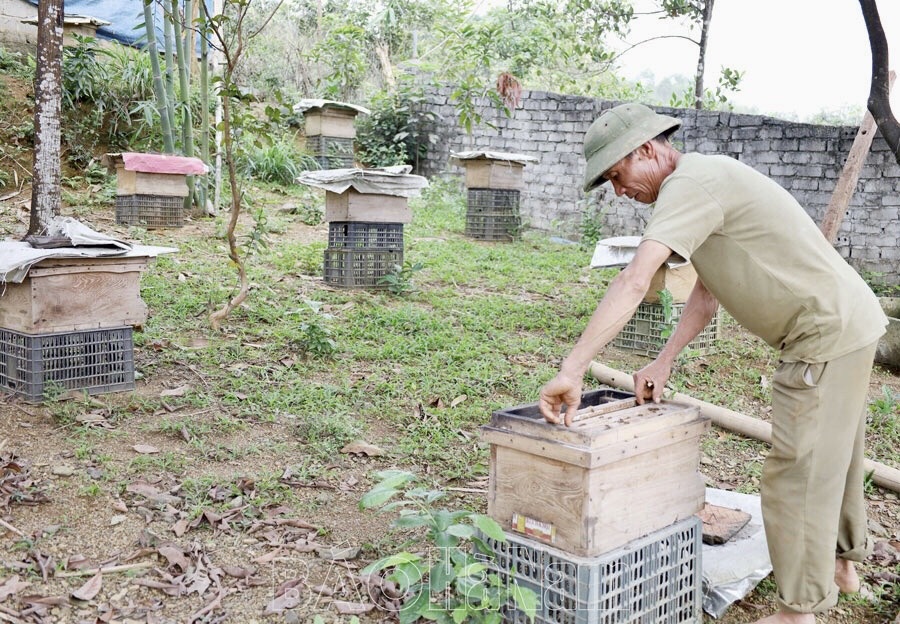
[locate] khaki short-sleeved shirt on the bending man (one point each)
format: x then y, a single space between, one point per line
759 253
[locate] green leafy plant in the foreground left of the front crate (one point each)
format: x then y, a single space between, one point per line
447 584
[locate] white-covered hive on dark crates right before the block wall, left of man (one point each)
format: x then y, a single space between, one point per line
494 183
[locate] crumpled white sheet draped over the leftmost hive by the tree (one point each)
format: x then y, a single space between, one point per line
17 257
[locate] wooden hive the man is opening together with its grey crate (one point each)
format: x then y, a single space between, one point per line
600 516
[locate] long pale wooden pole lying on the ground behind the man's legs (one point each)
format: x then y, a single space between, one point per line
882 475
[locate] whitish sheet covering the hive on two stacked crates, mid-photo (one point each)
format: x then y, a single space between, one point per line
383 181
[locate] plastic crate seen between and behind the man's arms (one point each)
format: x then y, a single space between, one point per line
644 332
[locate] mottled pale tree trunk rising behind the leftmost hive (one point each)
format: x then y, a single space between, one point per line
45 192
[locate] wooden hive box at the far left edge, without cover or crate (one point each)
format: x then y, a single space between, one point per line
69 294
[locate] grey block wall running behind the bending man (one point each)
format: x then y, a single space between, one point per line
806 159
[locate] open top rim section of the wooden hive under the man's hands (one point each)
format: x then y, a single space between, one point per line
606 417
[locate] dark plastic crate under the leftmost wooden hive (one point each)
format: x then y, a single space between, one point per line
95 361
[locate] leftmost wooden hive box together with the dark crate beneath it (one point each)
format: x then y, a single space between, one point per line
67 326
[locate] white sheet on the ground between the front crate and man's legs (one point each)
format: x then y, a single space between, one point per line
731 570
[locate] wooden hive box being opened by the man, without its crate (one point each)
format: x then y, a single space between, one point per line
619 472
